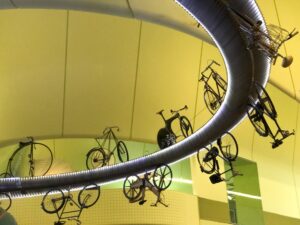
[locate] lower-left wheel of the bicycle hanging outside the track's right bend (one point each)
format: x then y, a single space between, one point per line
258 121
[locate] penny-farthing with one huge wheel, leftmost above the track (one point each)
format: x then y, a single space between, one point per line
30 159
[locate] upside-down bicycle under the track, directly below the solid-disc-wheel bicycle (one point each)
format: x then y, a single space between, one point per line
135 186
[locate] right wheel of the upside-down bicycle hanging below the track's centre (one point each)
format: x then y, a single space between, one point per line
162 178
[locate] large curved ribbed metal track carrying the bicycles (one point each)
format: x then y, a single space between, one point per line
243 67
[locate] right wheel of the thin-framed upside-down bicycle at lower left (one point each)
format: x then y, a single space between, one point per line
89 195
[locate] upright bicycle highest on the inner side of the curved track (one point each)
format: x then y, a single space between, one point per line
213 98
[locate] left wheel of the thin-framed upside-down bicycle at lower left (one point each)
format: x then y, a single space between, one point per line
53 201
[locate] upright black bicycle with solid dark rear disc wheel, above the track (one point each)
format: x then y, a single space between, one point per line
166 136
